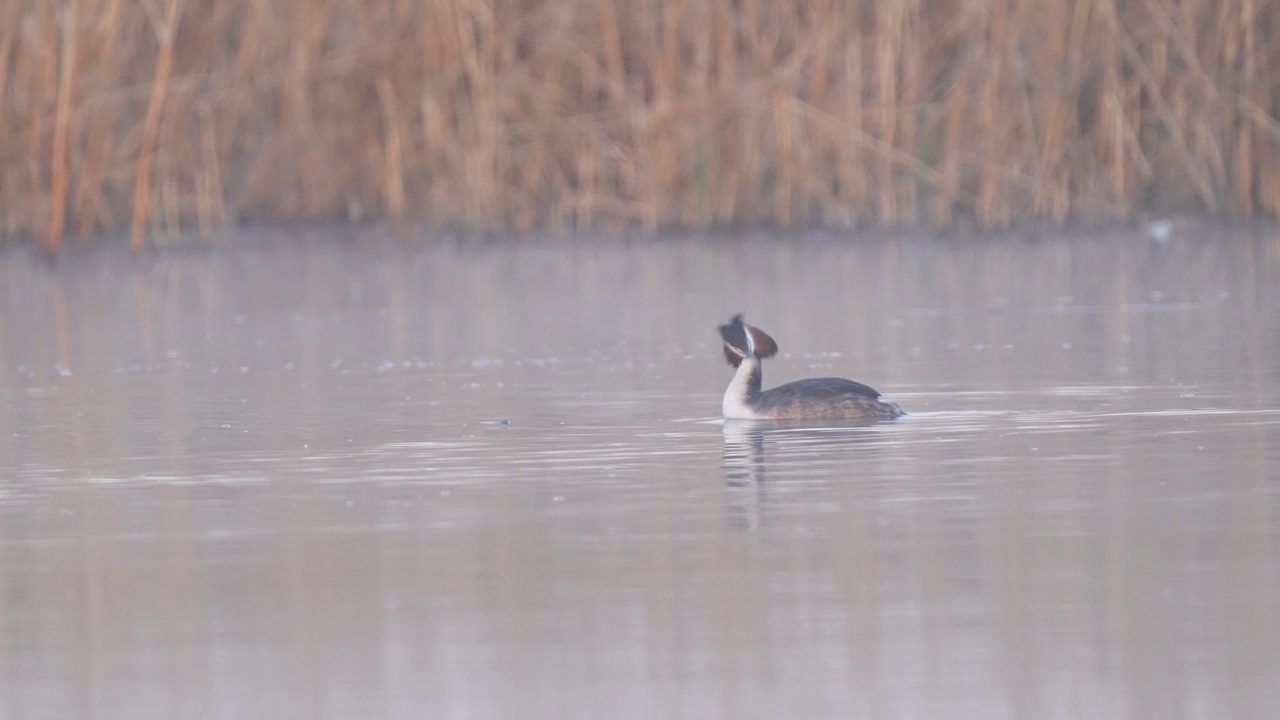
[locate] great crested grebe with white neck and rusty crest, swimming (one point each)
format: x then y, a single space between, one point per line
746 347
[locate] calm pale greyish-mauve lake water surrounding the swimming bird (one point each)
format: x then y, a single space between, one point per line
318 475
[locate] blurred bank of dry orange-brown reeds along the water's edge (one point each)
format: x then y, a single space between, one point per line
171 117
